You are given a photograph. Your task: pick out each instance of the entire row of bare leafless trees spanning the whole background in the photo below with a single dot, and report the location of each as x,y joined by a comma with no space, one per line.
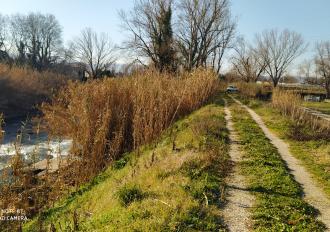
170,35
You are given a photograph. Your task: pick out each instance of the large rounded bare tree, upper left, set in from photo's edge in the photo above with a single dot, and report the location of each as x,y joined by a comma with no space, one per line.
37,38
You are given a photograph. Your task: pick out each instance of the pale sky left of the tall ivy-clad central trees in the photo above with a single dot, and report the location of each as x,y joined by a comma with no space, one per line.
74,15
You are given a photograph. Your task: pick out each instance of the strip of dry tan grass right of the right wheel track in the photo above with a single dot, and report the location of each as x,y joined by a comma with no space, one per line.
290,104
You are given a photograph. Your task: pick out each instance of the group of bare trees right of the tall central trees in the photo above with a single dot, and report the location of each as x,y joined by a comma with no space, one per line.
273,52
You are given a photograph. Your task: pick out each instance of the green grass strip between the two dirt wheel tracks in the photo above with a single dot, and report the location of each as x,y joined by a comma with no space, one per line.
279,205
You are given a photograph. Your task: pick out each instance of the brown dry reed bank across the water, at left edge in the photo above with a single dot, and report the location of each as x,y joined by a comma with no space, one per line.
22,88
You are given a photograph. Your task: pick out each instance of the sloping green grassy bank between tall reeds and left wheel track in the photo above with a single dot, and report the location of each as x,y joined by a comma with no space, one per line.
175,184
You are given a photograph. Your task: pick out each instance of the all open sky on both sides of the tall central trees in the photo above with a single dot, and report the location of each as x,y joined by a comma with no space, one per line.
311,18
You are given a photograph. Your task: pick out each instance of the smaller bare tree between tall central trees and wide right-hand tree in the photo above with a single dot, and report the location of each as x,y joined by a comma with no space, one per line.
247,64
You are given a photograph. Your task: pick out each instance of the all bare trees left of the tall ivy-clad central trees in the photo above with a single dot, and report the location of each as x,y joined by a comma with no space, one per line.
35,40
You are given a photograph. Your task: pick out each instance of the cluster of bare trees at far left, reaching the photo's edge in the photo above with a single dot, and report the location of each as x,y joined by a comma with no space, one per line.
33,39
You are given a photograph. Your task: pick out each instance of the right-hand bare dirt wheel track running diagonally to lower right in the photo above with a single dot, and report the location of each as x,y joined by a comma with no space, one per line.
312,193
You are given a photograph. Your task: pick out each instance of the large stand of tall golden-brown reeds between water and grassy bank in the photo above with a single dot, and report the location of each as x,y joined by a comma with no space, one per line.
106,118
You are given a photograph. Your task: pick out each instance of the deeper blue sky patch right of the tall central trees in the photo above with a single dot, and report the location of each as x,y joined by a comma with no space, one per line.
311,18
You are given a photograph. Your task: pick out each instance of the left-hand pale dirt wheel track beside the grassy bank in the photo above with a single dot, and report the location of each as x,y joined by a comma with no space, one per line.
239,200
